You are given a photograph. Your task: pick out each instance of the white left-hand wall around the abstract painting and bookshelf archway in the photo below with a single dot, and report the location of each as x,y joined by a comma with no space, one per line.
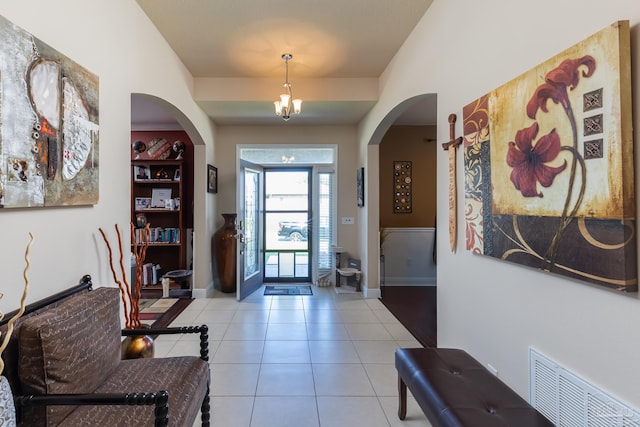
116,41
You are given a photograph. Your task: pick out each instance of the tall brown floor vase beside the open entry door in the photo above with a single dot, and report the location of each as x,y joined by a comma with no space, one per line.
224,250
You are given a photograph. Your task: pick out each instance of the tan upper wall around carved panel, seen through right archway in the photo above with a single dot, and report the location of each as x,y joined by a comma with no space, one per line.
416,144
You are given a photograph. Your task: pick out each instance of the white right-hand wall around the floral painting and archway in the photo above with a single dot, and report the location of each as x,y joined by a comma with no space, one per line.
461,50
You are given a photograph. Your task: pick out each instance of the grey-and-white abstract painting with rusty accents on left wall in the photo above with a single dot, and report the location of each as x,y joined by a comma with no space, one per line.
48,125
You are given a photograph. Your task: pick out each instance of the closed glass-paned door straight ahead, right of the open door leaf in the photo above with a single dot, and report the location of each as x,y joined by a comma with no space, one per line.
287,220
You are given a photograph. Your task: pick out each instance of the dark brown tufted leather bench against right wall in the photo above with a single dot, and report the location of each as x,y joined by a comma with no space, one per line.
454,389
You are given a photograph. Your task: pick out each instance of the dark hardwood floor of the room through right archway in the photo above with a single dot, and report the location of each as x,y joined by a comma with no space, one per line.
415,307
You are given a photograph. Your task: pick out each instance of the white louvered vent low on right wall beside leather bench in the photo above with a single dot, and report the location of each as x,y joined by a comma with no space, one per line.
567,400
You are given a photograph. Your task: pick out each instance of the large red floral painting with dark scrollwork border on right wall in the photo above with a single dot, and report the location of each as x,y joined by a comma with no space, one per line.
549,179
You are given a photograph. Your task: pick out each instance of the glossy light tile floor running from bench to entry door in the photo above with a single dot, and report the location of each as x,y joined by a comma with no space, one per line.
325,360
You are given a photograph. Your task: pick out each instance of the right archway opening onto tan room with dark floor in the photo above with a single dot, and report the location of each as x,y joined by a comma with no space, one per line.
405,153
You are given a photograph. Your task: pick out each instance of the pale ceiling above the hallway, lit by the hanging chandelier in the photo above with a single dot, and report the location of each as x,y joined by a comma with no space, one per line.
240,42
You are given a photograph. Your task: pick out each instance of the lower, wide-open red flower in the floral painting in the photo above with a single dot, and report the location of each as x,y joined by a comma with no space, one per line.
528,161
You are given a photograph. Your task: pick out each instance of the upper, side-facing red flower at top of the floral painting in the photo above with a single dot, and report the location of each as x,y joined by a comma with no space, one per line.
557,81
